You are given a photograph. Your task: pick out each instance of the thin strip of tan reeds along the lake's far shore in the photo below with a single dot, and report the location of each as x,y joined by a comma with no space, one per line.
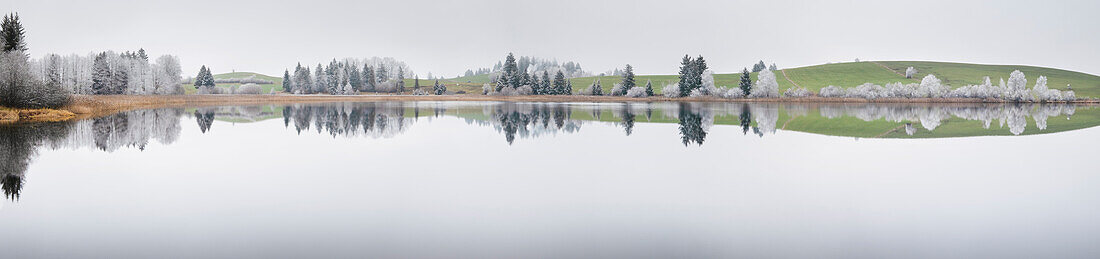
89,106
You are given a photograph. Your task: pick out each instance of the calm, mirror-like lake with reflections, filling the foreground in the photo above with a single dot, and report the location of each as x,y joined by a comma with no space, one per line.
446,180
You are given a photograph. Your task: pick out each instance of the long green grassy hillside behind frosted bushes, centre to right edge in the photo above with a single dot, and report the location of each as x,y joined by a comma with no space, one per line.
854,74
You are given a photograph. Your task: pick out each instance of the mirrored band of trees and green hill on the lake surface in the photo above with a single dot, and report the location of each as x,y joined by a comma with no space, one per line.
524,121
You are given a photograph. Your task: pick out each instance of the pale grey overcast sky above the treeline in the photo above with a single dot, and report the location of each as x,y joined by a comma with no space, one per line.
447,37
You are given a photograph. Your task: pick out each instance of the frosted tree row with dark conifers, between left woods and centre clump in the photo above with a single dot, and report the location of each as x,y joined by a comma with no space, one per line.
378,75
